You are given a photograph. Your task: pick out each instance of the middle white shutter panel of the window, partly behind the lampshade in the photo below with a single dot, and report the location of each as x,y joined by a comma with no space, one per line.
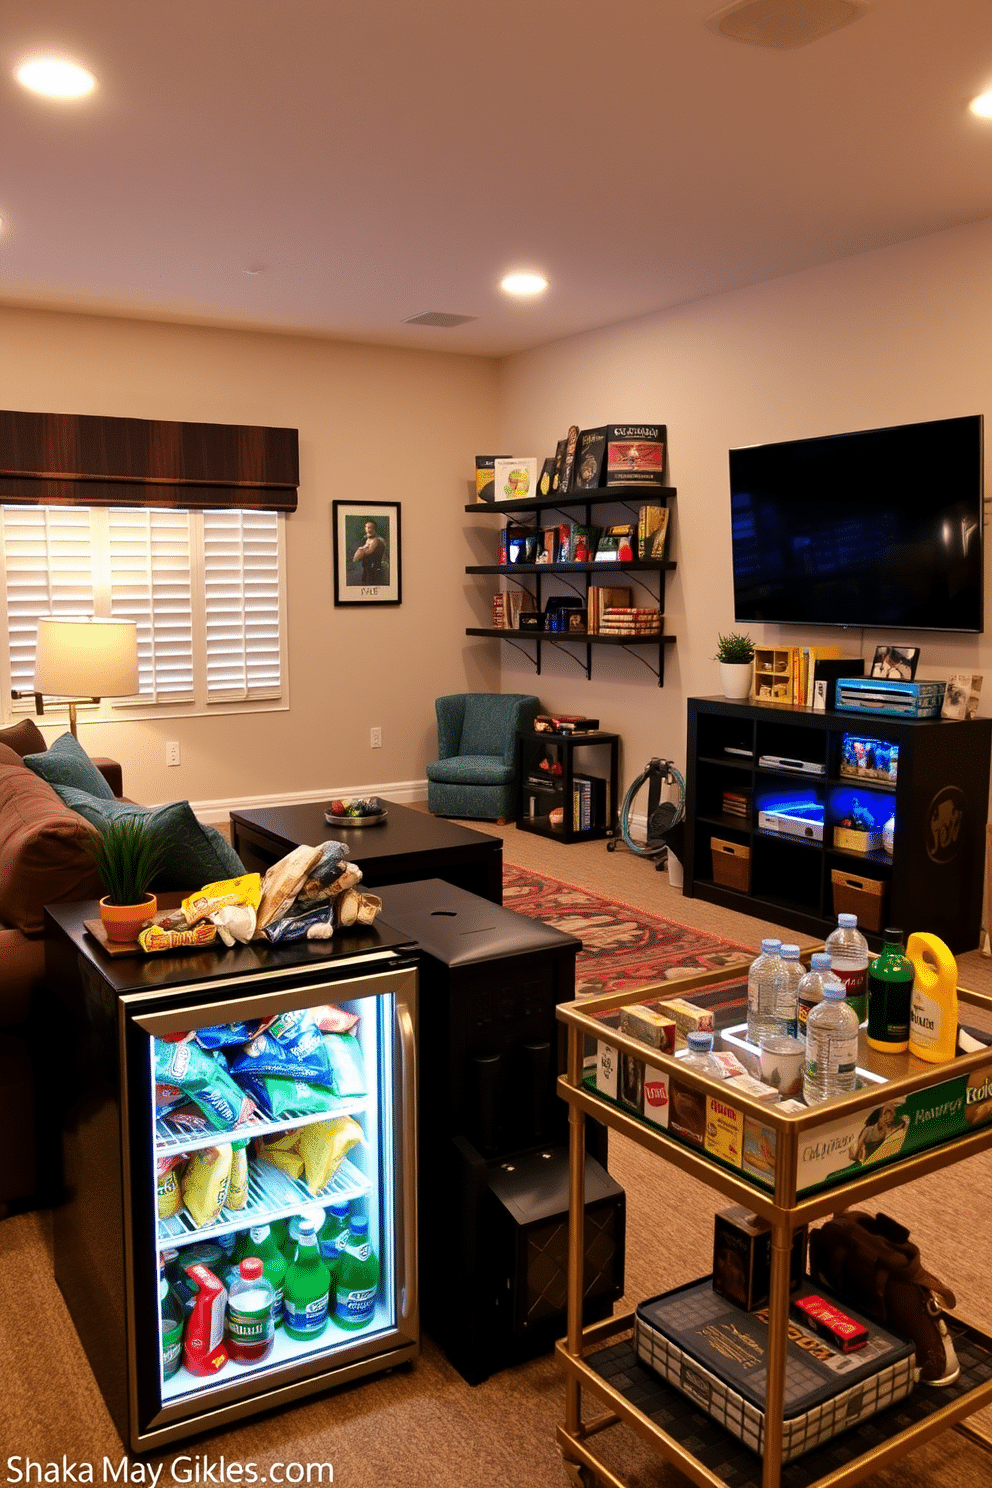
149,556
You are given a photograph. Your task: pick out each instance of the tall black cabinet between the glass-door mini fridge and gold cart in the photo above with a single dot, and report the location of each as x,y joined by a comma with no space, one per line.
493,1154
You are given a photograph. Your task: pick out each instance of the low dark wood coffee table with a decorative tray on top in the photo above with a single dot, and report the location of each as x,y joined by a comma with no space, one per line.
410,846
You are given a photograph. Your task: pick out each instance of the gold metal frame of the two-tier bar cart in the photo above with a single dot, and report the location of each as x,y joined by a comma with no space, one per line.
602,1359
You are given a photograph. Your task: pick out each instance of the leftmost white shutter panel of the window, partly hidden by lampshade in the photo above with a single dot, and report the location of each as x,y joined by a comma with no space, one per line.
48,569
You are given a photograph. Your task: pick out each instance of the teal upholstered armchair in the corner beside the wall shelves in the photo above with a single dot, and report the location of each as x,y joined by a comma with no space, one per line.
475,775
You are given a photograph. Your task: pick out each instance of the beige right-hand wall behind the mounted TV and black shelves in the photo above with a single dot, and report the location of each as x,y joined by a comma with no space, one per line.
884,339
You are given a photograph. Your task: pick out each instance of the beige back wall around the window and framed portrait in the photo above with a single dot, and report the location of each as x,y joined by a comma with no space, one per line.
381,425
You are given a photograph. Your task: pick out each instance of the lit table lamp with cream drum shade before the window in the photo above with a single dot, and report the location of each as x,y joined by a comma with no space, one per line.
88,657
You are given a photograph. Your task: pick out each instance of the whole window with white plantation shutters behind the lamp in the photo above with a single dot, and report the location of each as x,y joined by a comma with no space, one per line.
206,590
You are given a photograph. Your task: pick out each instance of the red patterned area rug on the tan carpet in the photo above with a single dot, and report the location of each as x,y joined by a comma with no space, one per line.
621,947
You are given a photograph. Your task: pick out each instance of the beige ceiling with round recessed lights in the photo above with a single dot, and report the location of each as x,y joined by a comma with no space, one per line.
376,160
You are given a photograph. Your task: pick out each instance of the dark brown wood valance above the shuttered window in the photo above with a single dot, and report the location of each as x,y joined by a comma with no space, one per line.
84,461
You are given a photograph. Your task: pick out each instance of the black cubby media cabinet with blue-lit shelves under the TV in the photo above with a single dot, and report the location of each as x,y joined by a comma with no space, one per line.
774,785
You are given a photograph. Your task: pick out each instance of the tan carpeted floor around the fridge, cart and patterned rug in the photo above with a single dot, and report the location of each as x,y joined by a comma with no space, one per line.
423,1428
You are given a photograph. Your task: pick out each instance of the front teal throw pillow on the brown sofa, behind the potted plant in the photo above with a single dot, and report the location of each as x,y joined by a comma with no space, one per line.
196,853
